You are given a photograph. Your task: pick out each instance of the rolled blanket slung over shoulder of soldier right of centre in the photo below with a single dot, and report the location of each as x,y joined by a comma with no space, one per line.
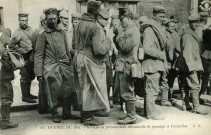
158,30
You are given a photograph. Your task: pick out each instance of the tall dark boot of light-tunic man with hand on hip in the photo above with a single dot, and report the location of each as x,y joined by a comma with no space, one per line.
25,93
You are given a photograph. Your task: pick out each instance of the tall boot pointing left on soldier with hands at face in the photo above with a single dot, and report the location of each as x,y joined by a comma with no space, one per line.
130,119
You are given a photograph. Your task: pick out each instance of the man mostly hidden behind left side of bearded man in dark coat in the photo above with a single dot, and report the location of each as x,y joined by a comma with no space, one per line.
43,103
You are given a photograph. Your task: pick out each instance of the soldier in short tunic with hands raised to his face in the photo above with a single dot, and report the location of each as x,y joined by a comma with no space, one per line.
127,42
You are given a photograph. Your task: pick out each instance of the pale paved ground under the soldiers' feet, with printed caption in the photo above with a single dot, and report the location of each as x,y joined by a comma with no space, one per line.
177,122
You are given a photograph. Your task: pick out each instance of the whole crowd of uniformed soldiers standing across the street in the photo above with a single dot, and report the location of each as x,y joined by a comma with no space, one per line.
79,67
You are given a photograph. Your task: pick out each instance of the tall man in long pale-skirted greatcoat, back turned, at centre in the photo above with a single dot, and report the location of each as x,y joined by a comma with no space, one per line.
91,48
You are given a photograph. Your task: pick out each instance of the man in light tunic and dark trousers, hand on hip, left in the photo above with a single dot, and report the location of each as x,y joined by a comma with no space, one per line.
22,43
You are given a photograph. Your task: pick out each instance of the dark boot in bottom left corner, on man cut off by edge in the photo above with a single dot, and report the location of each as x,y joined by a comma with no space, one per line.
5,115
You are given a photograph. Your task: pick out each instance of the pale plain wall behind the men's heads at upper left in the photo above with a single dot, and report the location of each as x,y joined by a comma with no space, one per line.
35,8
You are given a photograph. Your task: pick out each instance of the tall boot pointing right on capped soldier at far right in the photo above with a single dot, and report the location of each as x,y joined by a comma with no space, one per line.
196,105
